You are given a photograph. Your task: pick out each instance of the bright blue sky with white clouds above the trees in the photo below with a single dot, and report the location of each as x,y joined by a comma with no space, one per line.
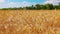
23,3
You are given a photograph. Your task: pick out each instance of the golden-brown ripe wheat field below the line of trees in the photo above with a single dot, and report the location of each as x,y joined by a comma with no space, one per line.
29,21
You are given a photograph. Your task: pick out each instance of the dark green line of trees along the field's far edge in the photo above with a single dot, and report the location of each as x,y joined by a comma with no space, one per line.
36,7
